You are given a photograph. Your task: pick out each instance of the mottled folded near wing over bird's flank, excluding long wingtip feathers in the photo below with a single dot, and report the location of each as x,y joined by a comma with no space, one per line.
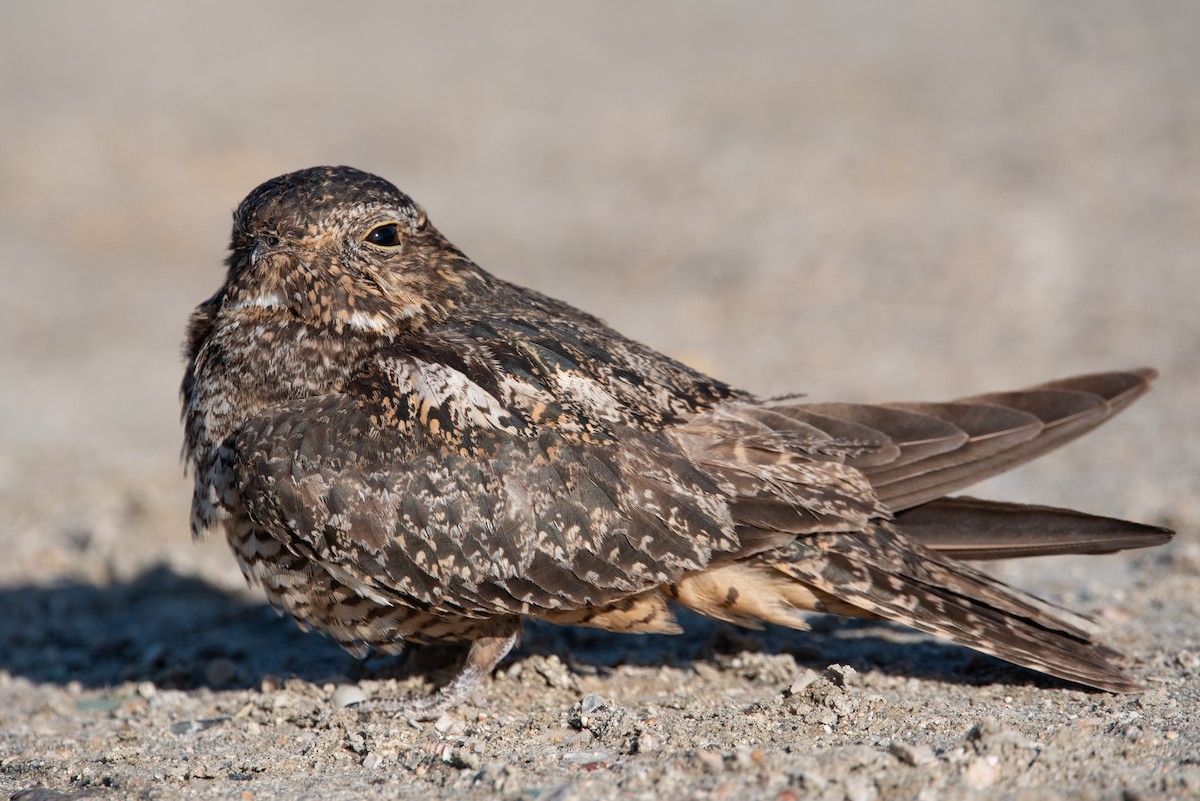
422,486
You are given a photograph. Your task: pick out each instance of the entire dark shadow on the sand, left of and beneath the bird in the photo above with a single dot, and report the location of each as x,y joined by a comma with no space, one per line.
182,633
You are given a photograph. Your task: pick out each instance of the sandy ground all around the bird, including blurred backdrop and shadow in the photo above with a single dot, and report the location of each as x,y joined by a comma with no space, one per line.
856,201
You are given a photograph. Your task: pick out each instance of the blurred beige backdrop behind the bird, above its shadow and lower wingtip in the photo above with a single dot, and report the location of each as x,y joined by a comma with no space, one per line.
869,201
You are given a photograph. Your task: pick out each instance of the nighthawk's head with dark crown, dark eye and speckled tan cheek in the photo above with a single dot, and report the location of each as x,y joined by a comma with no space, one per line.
337,248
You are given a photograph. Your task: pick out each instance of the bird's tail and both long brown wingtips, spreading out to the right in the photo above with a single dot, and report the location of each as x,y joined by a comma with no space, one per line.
908,570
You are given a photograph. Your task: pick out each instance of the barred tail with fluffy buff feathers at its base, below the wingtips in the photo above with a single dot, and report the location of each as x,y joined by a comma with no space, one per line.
881,574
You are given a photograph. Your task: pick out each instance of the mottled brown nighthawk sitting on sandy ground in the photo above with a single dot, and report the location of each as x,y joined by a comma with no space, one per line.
403,448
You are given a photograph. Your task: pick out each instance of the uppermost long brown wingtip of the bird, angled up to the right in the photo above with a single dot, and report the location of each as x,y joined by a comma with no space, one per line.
806,468
